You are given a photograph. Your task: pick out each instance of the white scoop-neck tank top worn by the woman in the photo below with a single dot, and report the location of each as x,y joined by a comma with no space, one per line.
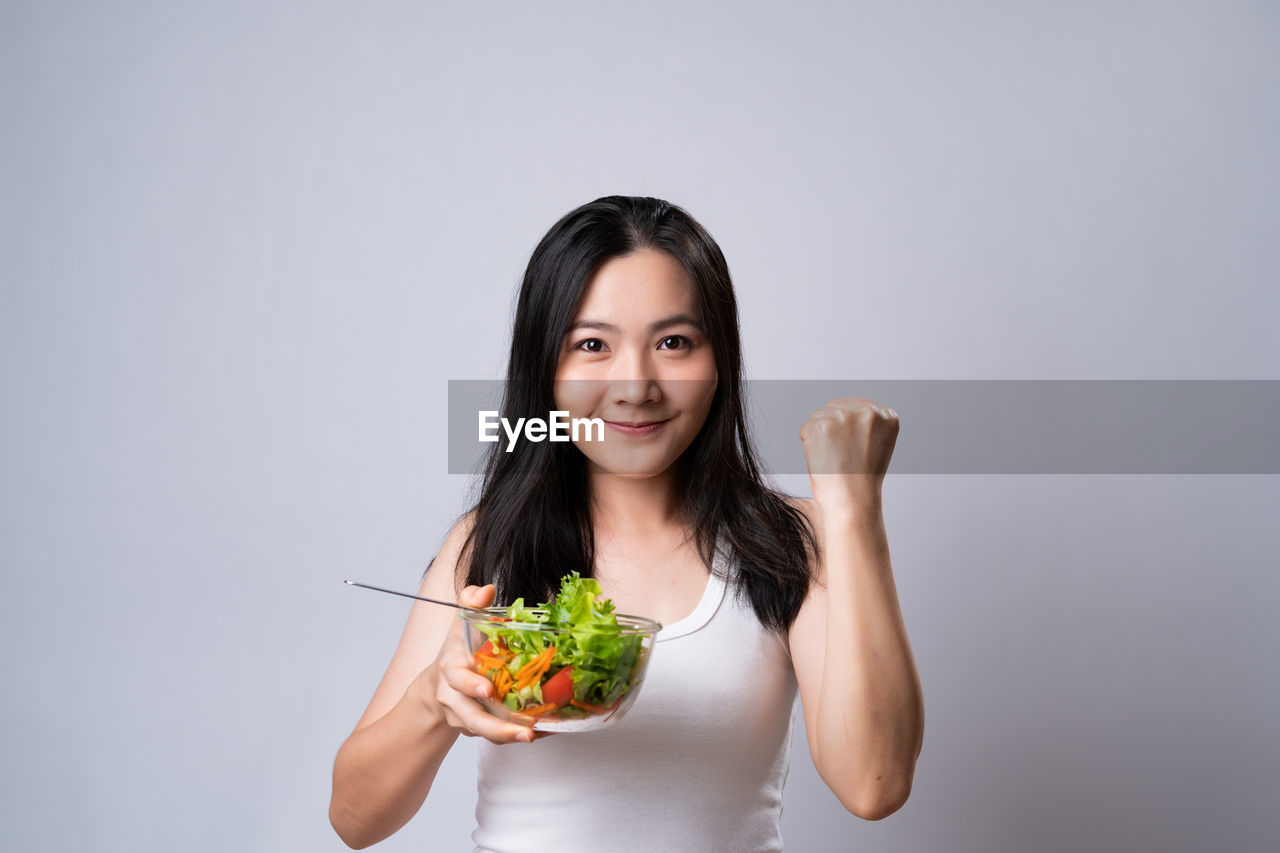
697,765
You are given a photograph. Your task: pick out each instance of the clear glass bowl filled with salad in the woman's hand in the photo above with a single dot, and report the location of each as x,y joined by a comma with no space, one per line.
565,679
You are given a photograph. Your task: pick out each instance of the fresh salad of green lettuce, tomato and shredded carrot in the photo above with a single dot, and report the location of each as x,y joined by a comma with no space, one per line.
568,659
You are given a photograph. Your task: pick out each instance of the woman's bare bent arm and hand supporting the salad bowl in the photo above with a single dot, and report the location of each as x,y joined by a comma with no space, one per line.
386,768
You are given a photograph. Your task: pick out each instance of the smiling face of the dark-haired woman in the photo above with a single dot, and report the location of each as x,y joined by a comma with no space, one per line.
637,354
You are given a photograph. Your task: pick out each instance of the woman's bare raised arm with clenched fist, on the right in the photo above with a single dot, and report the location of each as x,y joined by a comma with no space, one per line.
860,690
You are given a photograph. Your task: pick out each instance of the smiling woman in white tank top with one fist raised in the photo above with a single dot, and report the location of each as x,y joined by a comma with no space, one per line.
628,314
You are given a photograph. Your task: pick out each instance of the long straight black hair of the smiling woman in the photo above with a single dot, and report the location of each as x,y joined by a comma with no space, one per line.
533,513
